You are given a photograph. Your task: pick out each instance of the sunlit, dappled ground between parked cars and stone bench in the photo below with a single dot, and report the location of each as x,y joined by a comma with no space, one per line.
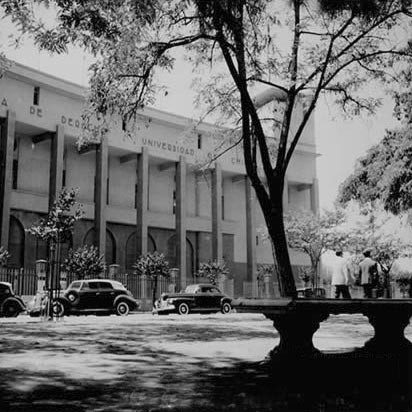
146,363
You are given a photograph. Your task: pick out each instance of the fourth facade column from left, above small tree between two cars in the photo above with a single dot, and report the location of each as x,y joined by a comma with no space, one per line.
142,201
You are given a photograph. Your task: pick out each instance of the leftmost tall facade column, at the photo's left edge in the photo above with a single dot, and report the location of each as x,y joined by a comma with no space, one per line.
7,132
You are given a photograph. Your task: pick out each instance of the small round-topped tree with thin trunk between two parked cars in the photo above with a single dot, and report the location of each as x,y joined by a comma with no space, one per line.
154,266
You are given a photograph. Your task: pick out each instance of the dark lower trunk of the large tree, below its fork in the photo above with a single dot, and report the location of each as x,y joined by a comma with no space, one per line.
283,267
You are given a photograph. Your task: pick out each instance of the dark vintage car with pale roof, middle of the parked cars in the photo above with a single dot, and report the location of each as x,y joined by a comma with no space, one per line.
94,296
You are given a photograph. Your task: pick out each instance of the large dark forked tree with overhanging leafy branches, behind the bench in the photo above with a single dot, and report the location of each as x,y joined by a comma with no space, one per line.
332,46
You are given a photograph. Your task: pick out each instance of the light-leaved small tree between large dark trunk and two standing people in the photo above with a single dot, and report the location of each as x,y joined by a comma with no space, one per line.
314,235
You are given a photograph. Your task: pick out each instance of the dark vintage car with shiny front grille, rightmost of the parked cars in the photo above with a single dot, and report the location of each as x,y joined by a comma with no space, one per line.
204,298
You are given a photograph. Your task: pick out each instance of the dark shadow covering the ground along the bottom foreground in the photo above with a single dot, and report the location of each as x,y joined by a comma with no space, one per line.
333,382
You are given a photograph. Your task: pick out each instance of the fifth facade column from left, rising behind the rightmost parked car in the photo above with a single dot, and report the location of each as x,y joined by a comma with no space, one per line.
181,219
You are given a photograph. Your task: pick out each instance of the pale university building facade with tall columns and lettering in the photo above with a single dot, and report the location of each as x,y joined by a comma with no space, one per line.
141,188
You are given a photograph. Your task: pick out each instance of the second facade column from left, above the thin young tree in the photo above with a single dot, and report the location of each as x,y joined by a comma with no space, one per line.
56,164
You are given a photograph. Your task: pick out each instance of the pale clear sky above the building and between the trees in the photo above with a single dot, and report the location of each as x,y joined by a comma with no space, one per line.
339,141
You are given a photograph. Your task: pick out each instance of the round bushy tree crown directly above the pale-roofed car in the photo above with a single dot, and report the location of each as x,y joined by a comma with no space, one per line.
85,262
